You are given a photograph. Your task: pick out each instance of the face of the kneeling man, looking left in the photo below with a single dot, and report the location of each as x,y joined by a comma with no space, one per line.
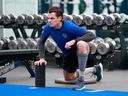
53,20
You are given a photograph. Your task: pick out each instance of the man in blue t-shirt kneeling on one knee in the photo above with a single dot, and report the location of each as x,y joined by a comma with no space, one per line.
73,42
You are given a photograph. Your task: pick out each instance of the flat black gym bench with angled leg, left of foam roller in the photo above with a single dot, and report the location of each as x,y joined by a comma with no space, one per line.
10,59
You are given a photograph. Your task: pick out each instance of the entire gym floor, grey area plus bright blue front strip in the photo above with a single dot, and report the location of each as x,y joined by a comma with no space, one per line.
19,83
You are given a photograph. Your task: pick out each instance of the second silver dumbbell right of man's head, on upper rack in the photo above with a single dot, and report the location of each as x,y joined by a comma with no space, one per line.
78,19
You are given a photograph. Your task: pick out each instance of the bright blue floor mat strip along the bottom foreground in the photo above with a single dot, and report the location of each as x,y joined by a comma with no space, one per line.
23,90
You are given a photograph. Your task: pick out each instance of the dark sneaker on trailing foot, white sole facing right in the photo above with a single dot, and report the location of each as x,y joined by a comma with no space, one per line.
99,71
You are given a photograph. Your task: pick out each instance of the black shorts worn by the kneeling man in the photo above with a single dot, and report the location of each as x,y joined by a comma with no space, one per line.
71,62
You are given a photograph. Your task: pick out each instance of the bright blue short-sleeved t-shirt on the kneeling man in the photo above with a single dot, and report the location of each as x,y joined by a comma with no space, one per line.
67,32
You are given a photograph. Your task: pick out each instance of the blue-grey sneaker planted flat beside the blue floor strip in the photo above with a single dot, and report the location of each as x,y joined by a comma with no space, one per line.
80,84
